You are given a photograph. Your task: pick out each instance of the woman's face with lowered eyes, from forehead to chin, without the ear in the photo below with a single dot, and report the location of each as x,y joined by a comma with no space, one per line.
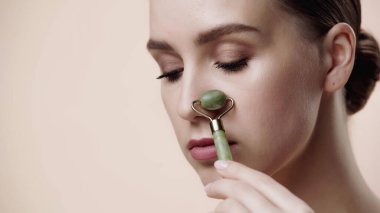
255,53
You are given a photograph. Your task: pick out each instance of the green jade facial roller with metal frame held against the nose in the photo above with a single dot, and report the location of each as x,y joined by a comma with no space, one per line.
213,100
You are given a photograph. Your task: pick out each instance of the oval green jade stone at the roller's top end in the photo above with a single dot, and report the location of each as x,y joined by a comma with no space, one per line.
213,100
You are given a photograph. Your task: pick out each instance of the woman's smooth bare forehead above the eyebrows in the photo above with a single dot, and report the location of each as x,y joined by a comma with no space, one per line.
185,18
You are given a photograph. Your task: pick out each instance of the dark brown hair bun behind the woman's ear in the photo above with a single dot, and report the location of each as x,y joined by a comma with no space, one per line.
365,74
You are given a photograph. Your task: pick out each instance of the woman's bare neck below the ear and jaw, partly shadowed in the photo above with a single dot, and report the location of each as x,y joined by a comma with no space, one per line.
325,175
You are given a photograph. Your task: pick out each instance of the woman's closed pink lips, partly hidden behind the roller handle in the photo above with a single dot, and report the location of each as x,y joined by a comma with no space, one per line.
204,149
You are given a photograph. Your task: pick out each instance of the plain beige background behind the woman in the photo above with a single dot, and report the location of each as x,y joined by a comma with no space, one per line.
82,126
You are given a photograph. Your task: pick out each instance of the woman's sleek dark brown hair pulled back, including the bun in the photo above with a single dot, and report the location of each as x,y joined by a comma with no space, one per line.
318,17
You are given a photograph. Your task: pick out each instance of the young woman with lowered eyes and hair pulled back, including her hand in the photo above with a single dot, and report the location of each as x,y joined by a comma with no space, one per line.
296,70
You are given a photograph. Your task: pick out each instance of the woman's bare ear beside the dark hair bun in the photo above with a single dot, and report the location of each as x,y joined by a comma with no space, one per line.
340,43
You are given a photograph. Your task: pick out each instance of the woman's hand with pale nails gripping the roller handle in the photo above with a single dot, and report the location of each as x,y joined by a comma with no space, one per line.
245,190
